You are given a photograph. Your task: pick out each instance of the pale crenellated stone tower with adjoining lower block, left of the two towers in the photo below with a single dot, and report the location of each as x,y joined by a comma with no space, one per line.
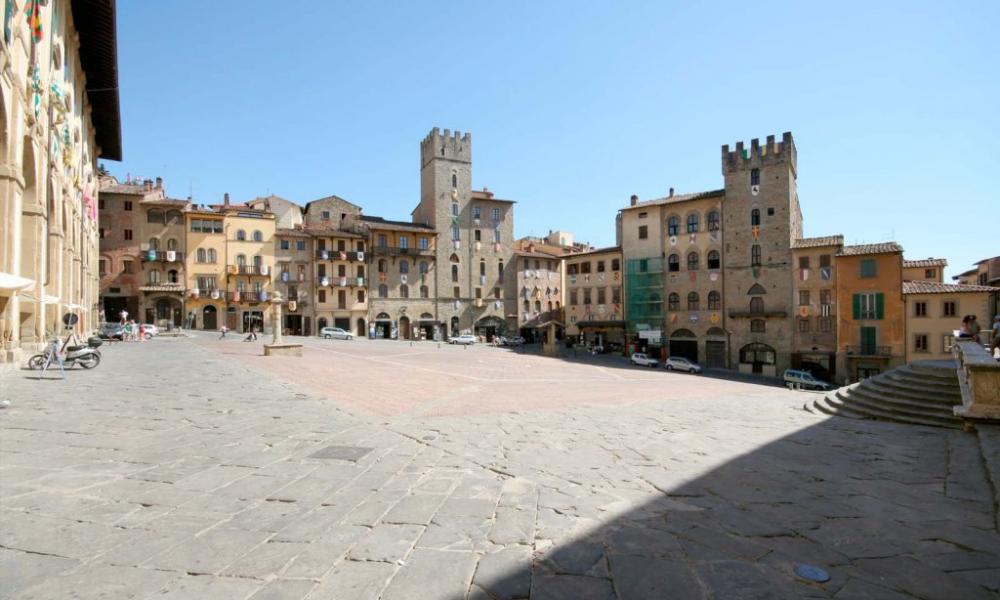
475,235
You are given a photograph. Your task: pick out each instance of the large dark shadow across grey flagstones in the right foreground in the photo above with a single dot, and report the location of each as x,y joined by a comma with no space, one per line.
876,506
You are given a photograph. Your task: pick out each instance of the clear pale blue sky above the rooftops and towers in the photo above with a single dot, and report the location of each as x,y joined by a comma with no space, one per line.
574,106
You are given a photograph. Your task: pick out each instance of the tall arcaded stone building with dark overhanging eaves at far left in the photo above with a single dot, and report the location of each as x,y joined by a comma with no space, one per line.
58,115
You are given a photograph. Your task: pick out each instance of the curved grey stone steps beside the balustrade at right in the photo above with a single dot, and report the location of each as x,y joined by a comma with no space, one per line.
920,393
